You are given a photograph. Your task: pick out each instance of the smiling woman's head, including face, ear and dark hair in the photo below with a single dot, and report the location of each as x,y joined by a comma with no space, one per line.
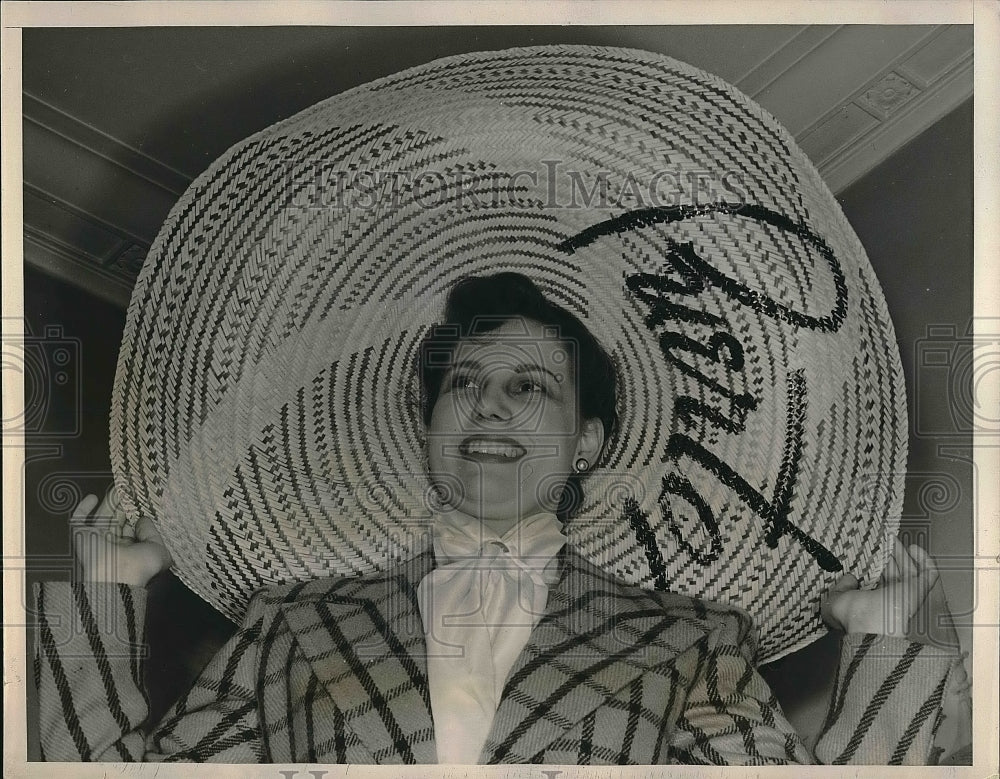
516,391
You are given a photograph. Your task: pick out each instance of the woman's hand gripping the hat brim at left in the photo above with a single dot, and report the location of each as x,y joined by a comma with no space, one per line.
110,549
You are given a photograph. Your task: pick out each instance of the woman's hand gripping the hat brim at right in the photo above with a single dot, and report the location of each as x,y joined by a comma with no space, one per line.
904,588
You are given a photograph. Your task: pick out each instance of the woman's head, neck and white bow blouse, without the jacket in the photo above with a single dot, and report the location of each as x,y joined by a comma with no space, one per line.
508,422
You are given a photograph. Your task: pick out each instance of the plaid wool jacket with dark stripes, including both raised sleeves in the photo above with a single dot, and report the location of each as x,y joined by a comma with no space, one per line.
333,671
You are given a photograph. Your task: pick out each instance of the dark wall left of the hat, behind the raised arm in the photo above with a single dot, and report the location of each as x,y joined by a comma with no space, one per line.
75,336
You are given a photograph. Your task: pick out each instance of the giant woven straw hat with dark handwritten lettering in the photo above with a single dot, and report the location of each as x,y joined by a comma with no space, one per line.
265,406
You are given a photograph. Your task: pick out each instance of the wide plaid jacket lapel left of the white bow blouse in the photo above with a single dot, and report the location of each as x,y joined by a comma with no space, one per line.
365,643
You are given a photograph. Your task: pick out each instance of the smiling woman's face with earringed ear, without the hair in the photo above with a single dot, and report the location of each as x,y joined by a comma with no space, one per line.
506,429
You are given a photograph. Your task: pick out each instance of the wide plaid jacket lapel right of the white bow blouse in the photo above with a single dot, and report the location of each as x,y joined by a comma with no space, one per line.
596,637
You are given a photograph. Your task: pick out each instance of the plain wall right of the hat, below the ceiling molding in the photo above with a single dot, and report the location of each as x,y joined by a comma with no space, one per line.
913,213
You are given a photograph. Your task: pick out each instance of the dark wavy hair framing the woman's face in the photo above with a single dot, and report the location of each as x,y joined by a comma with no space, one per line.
480,304
